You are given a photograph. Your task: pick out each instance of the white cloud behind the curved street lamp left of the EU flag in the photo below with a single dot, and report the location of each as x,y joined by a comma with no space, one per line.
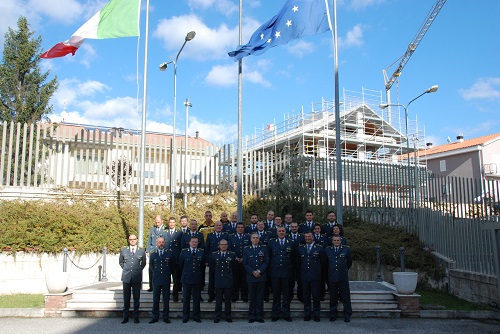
209,43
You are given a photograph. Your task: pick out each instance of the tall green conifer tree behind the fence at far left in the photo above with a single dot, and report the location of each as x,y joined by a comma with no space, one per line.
24,92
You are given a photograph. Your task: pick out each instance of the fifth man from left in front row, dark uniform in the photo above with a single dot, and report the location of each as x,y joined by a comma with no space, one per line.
256,261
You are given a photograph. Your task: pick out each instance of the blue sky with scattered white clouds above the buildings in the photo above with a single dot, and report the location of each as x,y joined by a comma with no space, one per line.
102,84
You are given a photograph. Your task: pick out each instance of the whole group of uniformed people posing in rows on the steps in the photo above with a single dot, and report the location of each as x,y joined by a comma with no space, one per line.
245,262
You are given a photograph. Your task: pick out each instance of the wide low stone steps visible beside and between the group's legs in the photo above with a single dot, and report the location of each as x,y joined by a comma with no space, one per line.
369,299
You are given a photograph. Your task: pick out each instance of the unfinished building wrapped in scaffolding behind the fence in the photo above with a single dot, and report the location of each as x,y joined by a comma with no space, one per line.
374,146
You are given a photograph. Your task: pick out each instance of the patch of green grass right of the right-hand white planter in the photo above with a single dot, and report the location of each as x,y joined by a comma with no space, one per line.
436,299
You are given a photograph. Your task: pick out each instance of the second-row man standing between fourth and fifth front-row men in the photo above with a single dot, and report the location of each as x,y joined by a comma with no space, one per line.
237,243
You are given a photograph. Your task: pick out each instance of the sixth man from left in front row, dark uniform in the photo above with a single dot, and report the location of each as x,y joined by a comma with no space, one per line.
280,269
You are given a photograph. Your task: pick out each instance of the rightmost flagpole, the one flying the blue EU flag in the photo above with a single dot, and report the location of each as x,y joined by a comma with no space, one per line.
338,145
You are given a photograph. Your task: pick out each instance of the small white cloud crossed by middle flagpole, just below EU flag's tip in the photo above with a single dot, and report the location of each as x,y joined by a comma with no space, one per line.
227,75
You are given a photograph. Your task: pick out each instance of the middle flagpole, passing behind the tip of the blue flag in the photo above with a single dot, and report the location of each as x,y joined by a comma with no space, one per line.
239,169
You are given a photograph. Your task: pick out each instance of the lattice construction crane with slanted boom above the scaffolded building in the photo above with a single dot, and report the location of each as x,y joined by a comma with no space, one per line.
411,48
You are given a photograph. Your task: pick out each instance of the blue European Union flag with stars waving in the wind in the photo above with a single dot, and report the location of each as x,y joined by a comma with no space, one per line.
296,19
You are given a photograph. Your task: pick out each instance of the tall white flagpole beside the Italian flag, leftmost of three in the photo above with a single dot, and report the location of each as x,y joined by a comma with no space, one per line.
143,136
